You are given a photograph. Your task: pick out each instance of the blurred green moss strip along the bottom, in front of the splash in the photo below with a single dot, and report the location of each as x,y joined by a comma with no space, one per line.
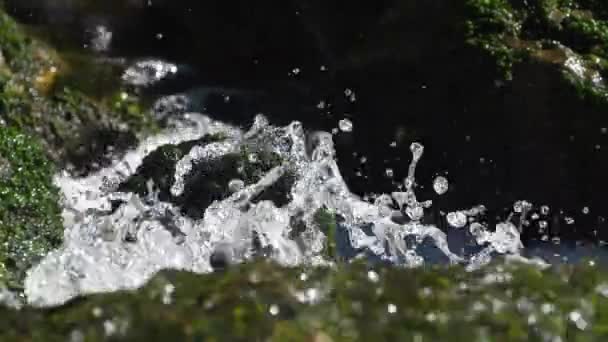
265,302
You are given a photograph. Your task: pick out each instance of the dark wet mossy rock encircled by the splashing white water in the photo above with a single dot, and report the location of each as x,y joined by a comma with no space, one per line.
209,179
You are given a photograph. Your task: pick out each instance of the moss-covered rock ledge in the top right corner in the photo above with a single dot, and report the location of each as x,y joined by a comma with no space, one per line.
512,32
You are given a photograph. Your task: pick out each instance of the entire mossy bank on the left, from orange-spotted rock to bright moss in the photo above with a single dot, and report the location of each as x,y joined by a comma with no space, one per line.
45,122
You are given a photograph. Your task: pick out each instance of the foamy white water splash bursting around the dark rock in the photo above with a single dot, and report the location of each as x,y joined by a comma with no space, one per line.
117,240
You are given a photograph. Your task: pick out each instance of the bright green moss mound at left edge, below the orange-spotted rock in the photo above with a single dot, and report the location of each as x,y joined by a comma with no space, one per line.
30,222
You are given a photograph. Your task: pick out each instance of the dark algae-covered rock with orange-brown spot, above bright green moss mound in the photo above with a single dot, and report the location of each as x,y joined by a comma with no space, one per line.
75,129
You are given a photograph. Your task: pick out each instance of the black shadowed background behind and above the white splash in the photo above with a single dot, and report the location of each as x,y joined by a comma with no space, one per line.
497,142
